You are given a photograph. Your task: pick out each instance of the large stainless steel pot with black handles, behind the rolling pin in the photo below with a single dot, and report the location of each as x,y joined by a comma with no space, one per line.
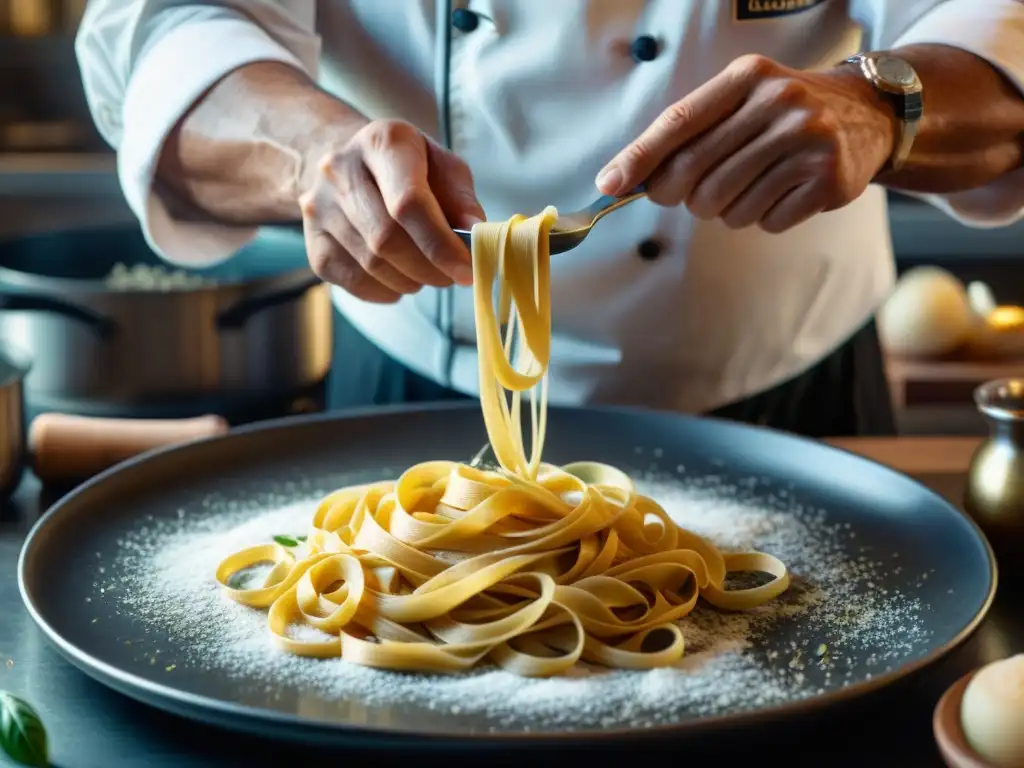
261,325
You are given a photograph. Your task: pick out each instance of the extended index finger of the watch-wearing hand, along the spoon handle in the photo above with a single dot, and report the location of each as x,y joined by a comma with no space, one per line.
684,121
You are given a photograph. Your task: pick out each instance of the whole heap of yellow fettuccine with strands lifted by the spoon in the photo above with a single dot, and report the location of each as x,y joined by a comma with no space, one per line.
530,567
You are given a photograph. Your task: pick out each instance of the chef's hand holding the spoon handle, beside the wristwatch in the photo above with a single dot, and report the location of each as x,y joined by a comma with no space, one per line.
761,144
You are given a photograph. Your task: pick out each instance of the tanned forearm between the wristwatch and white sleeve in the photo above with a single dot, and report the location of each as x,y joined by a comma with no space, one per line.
972,131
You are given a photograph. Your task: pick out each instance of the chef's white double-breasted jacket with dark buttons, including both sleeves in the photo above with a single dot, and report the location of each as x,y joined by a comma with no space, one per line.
541,96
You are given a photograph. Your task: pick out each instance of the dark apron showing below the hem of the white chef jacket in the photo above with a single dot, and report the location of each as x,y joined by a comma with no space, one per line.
845,395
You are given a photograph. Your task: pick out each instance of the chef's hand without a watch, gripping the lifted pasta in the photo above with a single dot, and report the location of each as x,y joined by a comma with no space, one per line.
378,217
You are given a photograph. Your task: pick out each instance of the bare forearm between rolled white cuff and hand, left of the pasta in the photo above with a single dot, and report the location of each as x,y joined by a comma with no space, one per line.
244,152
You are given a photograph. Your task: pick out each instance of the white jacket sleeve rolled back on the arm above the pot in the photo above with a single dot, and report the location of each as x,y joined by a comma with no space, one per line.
145,64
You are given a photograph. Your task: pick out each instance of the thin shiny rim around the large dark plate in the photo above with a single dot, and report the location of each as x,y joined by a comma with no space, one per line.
241,718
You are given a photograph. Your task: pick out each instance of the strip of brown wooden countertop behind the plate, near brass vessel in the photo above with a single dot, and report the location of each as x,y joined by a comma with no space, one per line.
914,455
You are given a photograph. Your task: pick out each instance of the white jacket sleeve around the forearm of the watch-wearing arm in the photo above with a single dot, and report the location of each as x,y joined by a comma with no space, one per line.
993,30
